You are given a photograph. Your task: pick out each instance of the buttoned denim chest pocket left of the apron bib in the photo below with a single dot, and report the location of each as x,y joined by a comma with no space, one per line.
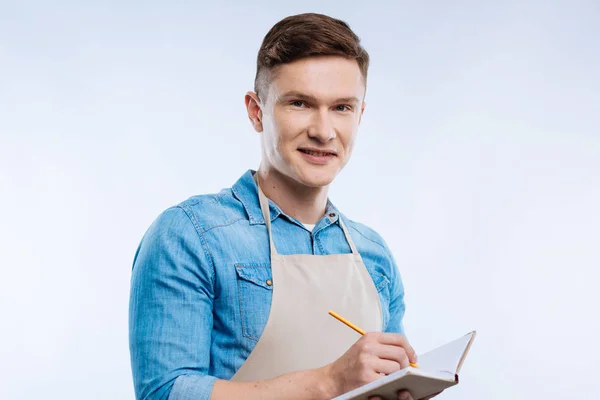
255,291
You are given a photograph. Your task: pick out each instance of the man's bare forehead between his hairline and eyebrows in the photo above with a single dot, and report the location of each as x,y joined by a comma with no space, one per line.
323,77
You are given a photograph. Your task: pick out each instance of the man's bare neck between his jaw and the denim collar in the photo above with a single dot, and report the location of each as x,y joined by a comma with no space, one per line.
306,204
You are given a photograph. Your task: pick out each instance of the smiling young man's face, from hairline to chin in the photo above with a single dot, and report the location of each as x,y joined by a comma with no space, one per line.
310,118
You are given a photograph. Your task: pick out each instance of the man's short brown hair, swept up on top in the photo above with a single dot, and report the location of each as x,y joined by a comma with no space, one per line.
306,35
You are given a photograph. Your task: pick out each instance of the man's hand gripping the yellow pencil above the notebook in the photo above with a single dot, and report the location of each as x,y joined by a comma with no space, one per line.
374,354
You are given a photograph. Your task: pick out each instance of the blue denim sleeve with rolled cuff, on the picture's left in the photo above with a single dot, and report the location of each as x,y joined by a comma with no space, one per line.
170,311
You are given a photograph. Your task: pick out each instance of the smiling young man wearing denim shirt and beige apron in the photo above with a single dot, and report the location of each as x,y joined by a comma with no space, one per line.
231,292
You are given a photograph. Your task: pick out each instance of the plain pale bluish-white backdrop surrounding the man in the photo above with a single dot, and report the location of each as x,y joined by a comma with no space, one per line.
478,160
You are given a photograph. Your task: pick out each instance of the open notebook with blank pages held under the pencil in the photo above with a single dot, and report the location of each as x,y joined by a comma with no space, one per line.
438,370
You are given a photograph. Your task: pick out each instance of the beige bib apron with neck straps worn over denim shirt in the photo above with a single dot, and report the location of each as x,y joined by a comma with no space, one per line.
299,333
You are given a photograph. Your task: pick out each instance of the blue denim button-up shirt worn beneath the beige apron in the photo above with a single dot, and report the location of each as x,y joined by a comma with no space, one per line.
199,298
